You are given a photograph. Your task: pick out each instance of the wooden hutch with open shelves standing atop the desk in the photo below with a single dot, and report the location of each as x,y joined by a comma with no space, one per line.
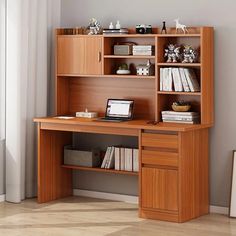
97,63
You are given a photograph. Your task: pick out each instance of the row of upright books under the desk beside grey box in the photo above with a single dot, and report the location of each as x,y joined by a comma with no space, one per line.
120,158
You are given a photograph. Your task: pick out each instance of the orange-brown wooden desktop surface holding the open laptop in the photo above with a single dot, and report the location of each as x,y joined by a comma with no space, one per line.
134,124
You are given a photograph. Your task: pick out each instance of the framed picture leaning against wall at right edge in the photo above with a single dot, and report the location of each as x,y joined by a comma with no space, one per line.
232,207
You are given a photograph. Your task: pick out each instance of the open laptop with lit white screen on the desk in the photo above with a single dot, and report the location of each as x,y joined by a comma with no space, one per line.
118,110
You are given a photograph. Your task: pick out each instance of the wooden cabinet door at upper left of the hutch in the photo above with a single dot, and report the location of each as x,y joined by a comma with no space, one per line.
79,55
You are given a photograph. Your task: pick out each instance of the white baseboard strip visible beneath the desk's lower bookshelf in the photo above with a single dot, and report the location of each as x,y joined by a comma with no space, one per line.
107,196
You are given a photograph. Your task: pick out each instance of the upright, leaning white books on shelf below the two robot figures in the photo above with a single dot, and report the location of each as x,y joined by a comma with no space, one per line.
179,80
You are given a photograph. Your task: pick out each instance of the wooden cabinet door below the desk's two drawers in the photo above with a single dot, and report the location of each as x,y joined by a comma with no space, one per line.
159,189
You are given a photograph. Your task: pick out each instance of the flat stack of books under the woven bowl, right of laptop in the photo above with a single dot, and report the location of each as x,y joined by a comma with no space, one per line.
180,117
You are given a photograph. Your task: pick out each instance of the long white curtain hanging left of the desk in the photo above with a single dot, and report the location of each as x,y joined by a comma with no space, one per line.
29,31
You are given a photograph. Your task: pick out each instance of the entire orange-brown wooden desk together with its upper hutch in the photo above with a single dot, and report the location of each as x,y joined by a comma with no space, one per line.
173,172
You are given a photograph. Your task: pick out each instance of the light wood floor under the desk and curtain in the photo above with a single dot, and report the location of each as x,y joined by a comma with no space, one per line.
86,216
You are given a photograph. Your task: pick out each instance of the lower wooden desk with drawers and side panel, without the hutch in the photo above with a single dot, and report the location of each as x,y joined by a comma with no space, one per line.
173,174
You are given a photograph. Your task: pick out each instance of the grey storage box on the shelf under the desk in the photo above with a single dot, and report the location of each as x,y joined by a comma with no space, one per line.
81,158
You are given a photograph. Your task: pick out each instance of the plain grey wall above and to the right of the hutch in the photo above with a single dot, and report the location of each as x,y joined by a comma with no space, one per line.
221,15
